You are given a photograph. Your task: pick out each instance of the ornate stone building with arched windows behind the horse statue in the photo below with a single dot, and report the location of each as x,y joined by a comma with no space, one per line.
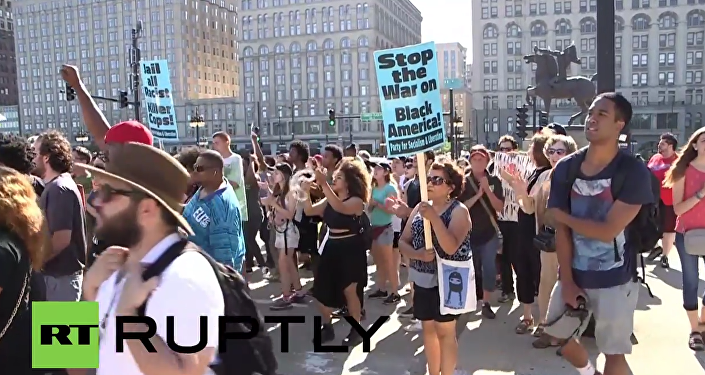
659,59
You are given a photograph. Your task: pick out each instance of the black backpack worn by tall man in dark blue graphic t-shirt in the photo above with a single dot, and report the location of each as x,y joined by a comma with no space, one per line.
644,232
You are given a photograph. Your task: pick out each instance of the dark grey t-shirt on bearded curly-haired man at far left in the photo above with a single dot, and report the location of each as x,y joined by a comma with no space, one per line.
62,204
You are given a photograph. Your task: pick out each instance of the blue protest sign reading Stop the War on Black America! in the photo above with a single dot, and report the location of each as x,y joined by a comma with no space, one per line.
410,99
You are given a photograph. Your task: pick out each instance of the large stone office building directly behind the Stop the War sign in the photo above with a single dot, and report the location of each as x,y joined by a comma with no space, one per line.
302,59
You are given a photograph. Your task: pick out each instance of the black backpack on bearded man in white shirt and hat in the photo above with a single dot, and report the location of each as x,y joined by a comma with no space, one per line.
253,356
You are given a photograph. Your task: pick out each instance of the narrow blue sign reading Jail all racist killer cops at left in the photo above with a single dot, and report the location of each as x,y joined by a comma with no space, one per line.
157,91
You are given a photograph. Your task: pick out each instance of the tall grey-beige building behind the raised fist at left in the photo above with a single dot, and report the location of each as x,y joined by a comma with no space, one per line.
197,37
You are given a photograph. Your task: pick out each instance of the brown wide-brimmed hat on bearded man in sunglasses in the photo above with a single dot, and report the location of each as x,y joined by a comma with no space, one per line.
151,171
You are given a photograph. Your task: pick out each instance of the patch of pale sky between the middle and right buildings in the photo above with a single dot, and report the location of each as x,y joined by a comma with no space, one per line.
447,21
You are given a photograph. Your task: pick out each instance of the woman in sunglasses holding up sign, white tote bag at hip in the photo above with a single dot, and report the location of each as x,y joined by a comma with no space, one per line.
450,226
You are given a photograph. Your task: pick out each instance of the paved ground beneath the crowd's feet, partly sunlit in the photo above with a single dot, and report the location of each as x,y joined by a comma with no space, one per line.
492,347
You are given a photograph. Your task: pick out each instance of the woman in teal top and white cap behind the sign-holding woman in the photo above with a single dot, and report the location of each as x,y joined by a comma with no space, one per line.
383,187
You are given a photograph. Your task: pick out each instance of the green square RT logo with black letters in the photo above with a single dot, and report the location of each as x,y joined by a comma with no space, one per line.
65,335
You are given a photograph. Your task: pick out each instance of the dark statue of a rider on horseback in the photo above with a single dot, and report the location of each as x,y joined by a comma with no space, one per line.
552,81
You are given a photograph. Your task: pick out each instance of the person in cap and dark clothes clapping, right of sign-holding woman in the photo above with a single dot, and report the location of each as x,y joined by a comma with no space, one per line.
484,197
